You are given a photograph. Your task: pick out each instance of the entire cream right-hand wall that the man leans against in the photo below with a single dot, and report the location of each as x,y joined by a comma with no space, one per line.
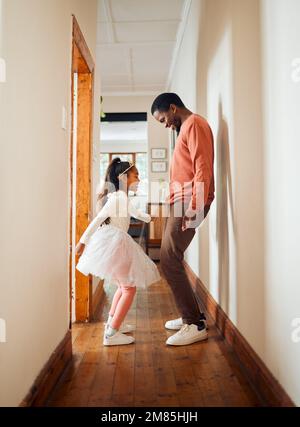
246,252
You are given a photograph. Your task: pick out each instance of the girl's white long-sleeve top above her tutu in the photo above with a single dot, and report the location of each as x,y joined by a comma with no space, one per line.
119,209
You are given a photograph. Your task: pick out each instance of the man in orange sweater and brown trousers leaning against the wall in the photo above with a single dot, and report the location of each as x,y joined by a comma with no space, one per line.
191,194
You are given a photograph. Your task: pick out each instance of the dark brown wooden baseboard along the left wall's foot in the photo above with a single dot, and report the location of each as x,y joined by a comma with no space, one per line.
50,374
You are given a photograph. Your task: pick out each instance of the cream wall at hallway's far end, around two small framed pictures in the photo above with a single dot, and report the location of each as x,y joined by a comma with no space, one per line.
158,137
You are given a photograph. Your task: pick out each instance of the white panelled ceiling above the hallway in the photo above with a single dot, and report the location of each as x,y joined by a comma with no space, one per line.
137,44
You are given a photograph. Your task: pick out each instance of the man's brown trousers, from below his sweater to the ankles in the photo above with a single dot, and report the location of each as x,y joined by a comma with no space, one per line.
175,242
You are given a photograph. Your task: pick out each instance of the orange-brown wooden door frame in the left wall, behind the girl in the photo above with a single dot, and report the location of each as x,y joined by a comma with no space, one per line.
81,163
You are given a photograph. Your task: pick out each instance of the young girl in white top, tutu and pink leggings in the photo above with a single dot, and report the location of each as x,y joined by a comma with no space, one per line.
107,250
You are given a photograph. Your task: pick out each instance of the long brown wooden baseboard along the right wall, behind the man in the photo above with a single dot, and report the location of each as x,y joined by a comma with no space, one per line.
263,381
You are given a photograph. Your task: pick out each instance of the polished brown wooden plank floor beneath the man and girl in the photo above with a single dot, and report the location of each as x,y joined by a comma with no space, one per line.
149,373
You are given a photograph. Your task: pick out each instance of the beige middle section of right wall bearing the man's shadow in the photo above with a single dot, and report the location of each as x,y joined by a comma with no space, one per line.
232,72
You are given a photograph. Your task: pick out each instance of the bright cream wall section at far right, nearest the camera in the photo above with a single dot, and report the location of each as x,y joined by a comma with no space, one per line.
281,106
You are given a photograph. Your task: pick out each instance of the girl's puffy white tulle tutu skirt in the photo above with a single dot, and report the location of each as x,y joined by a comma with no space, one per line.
113,255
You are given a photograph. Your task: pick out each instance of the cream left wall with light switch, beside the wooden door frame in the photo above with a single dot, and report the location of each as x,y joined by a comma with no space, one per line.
34,301
